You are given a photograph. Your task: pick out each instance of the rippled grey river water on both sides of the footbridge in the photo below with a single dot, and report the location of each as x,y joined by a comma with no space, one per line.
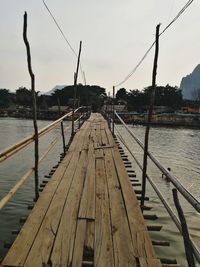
177,148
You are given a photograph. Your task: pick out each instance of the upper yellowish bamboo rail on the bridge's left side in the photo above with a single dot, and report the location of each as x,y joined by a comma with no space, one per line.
28,140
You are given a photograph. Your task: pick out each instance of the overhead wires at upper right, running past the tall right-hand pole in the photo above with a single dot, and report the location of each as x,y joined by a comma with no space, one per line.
147,52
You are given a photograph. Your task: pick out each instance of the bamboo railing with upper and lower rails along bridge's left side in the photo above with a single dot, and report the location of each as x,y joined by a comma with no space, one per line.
7,153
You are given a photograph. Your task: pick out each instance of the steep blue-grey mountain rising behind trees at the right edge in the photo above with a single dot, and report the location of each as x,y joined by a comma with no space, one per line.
190,85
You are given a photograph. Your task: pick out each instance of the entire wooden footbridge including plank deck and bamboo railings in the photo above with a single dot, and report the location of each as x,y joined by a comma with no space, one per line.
88,212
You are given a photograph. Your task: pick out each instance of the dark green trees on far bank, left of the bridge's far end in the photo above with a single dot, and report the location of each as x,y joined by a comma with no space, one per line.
92,95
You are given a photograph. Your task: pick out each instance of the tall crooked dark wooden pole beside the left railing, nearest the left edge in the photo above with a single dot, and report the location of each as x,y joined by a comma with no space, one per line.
34,104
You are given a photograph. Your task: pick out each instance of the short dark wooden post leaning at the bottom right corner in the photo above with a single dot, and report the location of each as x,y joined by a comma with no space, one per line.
186,237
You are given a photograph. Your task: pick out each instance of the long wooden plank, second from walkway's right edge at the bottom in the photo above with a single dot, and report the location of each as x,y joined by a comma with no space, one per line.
123,247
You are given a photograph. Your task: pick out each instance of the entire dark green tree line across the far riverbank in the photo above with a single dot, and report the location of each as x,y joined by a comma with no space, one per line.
94,96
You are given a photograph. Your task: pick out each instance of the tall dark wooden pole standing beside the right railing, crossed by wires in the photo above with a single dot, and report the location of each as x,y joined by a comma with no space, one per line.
152,100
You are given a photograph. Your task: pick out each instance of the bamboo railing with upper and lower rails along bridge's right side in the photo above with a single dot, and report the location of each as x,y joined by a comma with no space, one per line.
178,185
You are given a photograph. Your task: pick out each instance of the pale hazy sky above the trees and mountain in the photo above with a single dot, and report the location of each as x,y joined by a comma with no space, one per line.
115,36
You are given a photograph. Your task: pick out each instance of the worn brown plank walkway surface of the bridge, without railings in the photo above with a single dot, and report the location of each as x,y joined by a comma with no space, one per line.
88,214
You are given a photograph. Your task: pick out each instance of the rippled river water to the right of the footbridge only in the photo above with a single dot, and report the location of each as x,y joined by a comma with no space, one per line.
179,149
